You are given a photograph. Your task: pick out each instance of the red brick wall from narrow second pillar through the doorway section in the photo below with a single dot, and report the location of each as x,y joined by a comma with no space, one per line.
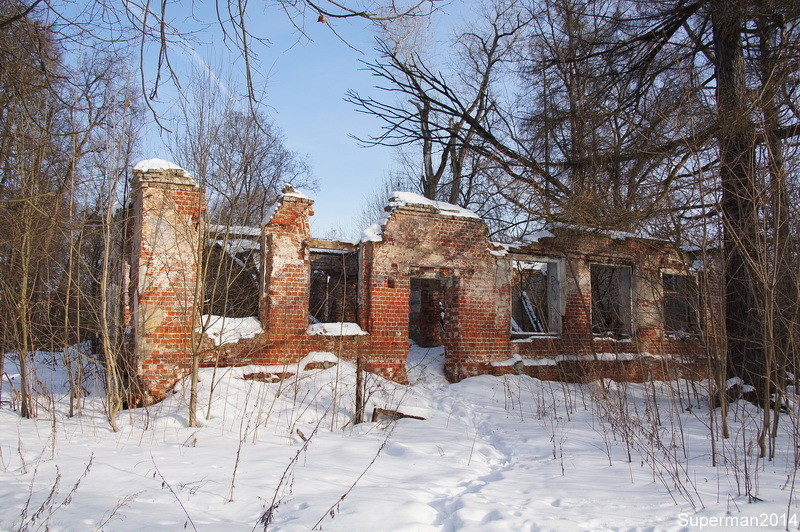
417,242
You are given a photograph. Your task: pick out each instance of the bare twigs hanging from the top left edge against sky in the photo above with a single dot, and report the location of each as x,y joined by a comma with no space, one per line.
153,33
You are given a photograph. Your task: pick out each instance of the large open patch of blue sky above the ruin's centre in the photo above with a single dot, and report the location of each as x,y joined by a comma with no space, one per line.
306,93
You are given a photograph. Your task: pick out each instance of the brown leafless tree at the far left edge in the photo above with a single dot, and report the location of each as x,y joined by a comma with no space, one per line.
32,190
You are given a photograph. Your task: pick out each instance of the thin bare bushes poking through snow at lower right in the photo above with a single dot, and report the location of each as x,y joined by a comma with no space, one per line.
668,429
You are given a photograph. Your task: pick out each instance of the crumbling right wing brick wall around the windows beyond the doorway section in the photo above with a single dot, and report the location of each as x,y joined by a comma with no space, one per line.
647,259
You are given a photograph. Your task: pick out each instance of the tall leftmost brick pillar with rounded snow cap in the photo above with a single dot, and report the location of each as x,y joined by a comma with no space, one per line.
167,211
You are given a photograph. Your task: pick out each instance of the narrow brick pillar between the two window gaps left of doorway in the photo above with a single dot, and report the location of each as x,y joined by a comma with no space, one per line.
284,298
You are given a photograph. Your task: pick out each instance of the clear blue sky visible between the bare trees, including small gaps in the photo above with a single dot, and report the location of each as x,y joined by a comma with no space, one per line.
306,81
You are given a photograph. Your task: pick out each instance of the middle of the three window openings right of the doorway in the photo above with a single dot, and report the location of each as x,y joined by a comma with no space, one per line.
611,300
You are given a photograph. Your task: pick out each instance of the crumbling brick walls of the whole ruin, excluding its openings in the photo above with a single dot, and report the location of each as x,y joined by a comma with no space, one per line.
423,246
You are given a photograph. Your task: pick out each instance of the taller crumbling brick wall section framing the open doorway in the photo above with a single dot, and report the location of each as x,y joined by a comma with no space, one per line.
419,242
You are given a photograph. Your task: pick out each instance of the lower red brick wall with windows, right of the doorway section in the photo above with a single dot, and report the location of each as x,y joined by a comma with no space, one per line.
646,258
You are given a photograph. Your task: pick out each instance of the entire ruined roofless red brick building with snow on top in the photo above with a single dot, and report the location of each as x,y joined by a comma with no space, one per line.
573,303
